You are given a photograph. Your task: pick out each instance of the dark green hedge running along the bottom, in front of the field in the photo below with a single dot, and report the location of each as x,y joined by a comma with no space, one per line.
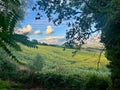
67,82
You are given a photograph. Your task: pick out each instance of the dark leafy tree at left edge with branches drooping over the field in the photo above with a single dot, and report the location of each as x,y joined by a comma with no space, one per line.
12,11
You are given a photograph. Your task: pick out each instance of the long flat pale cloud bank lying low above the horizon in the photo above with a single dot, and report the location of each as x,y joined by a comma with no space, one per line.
53,40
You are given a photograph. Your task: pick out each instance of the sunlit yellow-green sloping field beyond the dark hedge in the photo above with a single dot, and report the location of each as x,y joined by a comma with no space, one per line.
54,59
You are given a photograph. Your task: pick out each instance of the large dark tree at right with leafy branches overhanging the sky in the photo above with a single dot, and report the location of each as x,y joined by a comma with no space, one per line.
86,17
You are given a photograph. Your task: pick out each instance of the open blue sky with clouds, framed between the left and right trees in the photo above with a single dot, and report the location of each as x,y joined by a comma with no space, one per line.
42,30
